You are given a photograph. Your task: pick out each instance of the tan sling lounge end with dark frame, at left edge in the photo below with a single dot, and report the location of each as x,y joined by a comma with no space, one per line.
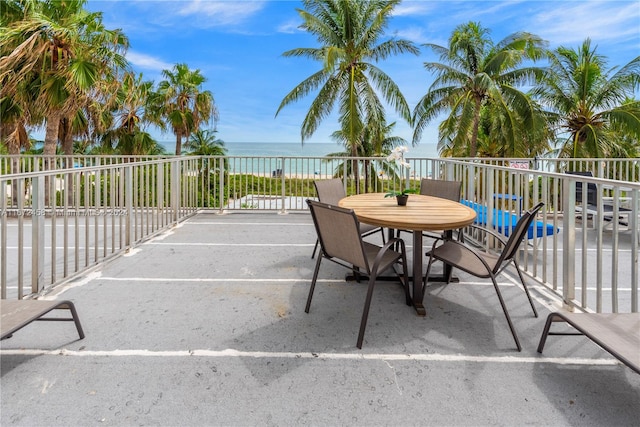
16,314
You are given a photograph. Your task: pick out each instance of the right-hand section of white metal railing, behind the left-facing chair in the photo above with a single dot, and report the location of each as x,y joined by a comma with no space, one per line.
590,256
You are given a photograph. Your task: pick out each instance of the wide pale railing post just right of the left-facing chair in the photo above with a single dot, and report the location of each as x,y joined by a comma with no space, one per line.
569,241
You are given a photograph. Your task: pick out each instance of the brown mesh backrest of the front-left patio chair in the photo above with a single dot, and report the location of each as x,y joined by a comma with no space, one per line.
338,233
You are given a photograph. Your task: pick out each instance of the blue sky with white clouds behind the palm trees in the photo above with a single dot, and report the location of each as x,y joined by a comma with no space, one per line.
238,46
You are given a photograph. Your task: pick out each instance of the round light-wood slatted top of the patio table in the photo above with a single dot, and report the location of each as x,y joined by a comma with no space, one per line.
421,212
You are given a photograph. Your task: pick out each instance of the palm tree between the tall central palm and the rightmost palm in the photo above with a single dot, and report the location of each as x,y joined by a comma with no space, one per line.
475,73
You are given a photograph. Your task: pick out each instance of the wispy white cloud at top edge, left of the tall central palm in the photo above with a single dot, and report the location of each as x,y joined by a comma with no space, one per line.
220,13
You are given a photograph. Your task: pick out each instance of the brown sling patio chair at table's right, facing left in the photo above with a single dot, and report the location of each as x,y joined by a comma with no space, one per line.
484,264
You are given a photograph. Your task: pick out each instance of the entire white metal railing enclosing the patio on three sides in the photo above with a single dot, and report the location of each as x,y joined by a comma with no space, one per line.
587,256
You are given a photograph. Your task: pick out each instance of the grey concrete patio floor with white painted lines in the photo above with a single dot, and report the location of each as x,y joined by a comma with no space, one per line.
205,325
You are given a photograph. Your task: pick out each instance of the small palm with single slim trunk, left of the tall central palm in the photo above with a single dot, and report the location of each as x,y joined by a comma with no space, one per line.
183,104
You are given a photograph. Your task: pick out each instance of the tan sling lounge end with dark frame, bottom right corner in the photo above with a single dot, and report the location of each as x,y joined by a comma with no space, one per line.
617,333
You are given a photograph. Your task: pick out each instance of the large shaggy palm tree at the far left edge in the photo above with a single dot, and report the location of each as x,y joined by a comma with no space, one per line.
66,52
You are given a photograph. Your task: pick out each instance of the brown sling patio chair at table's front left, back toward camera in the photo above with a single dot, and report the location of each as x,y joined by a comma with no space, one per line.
341,242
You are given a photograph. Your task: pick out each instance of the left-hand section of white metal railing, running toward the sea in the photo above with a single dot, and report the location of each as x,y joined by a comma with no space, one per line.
57,223
